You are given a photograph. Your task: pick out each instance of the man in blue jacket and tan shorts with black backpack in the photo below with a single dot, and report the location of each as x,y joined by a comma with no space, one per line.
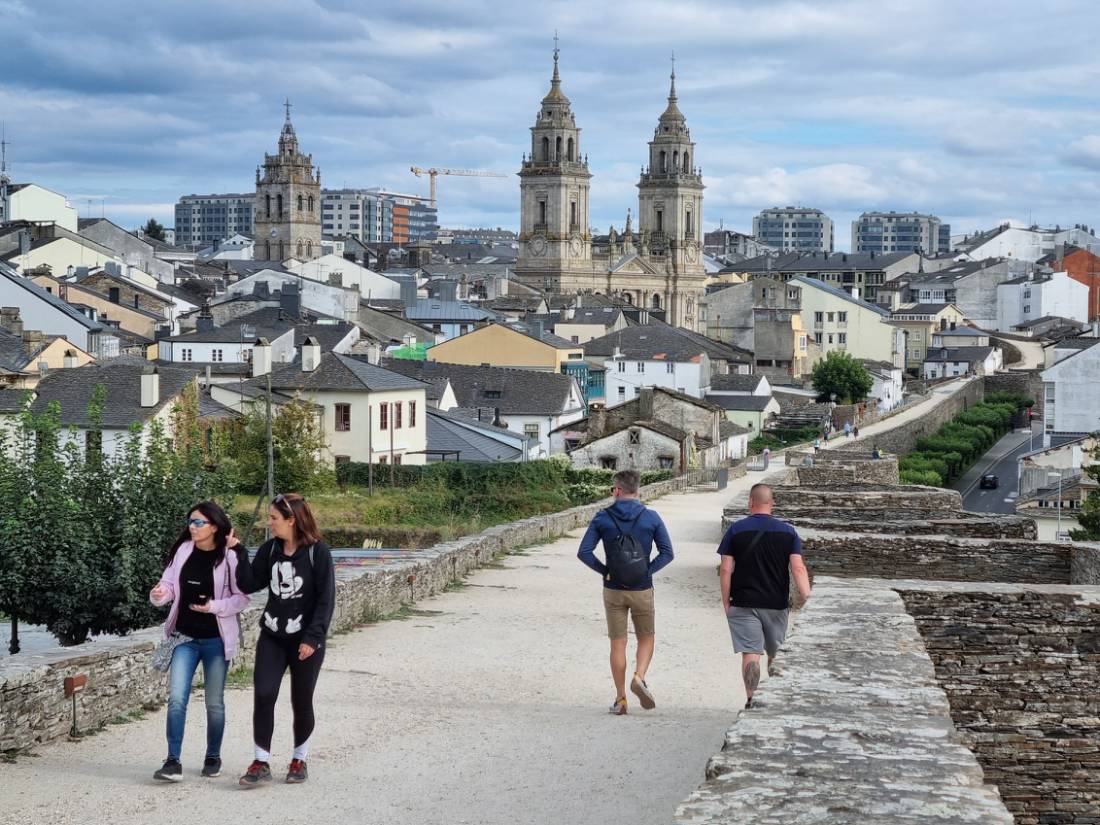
629,531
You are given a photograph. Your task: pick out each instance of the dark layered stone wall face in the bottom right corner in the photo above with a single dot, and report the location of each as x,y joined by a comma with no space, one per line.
1021,668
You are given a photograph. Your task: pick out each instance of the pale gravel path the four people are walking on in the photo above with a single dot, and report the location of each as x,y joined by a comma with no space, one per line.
487,706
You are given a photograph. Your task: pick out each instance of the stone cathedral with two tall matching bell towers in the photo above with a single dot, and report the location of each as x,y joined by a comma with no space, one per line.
662,267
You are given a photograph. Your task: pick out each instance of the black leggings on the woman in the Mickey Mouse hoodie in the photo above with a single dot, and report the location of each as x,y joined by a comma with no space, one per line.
273,657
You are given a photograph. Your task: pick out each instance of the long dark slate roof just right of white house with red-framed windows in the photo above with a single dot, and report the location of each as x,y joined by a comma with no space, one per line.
514,392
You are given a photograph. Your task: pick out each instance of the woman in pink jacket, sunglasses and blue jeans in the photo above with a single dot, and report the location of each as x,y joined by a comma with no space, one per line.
200,582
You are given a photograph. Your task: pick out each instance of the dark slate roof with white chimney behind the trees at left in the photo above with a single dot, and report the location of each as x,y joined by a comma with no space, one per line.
73,389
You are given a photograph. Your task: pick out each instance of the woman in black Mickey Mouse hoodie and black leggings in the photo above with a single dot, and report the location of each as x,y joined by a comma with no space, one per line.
296,567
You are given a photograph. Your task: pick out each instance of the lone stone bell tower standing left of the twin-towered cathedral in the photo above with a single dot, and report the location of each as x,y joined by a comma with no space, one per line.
288,211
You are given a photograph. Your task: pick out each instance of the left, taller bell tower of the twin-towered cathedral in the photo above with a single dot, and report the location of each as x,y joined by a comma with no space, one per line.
555,244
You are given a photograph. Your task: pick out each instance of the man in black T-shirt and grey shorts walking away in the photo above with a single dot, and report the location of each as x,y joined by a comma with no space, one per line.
758,556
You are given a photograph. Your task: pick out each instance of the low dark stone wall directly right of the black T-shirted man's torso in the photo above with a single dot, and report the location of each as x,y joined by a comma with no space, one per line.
937,558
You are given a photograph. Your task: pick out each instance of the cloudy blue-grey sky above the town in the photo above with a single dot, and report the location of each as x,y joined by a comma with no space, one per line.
976,112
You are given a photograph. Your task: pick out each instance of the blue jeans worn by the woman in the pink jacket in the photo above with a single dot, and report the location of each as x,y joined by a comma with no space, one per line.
185,662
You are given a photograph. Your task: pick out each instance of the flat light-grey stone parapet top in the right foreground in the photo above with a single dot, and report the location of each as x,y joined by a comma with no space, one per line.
852,728
